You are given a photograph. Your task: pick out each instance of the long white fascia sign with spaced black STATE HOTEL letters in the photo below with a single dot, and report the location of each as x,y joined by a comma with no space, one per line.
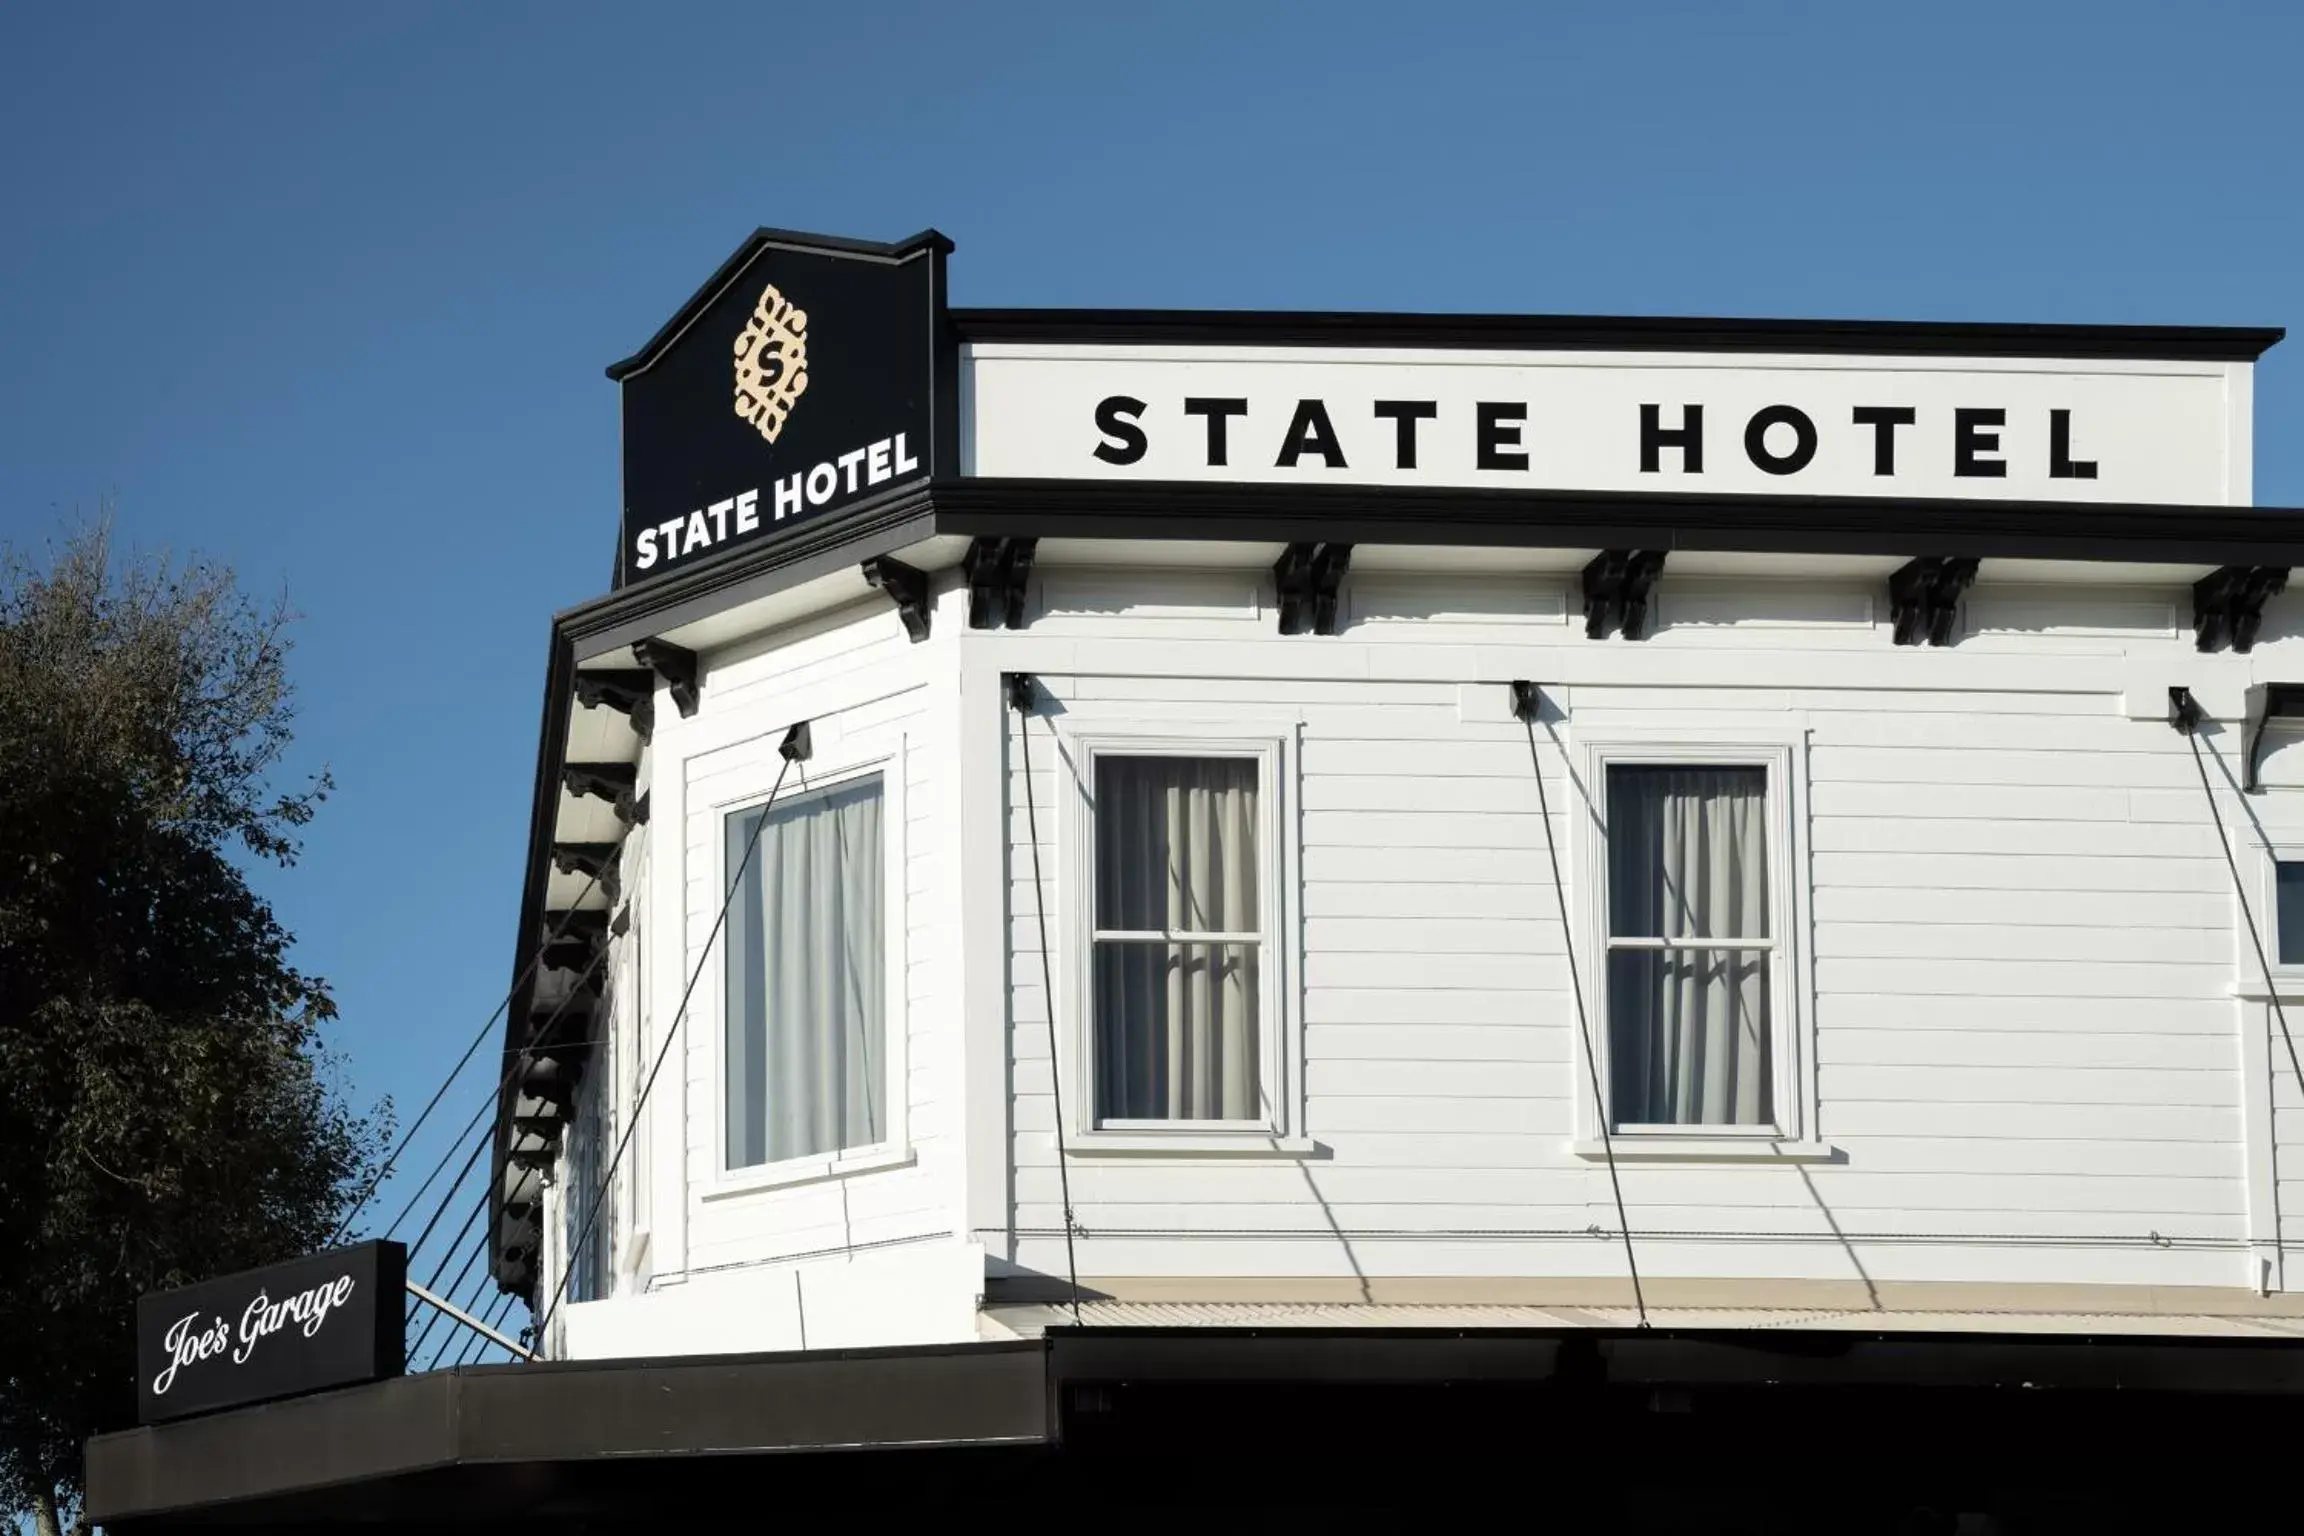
1658,423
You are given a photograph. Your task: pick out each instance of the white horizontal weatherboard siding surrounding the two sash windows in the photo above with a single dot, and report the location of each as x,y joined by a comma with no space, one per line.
2022,1021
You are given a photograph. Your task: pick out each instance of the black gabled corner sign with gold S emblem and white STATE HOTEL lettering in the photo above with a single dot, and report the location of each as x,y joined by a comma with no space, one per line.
805,379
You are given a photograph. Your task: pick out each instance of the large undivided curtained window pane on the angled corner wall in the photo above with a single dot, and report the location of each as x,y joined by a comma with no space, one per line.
805,978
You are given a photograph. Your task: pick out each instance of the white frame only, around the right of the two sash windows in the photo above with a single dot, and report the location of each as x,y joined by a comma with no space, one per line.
1784,754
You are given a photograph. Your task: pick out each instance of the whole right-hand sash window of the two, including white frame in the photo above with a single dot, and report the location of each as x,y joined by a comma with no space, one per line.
1692,897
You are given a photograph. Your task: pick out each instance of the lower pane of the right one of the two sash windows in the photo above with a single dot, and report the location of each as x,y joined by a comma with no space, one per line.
1688,1037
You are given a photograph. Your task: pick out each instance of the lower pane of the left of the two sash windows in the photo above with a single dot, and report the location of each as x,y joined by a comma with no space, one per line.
1176,1031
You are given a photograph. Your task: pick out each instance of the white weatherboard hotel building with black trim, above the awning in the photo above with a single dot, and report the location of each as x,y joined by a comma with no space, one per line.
1388,821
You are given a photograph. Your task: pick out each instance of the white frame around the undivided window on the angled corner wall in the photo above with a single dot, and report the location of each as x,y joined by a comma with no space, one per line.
849,763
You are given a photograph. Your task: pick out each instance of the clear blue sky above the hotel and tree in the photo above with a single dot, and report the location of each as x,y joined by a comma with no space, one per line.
328,291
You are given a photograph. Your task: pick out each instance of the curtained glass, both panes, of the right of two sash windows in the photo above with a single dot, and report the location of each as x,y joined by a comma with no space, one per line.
1688,1026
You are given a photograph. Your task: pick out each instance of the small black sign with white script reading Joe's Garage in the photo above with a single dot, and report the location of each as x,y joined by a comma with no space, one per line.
278,1332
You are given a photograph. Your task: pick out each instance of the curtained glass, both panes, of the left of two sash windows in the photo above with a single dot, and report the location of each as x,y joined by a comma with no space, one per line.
1176,1021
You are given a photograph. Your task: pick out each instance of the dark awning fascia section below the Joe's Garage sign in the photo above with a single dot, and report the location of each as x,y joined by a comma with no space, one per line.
480,1443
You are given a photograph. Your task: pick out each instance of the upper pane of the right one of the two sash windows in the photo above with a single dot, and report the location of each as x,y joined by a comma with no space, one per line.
1688,853
